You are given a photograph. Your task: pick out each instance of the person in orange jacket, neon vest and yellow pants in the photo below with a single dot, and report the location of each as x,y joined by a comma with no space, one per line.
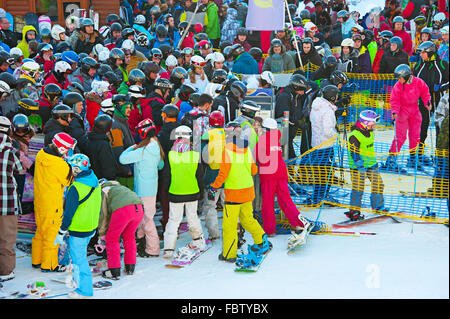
236,170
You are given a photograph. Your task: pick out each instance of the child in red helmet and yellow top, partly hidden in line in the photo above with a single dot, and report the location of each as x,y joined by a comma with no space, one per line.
213,144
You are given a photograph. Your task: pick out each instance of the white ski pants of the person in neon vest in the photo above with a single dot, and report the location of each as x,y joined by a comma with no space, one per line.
175,217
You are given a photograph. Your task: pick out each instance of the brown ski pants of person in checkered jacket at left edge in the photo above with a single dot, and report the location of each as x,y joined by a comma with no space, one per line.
8,236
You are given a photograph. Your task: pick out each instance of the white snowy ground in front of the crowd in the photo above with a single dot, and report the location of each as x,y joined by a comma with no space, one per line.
402,261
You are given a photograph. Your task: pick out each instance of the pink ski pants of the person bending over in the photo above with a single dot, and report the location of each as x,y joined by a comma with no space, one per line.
124,222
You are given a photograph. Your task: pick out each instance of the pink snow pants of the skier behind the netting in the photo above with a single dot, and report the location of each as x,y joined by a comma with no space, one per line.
406,124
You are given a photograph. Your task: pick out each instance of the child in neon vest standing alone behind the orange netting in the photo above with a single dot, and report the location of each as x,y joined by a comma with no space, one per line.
363,164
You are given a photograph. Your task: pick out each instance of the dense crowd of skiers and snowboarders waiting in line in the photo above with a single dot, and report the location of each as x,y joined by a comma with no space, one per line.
151,110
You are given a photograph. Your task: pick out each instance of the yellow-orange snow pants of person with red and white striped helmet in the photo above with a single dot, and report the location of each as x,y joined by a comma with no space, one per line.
44,252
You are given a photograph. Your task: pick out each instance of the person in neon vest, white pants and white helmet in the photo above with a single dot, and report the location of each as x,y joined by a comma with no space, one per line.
184,191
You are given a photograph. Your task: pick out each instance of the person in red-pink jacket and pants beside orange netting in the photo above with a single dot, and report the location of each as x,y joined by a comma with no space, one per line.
274,181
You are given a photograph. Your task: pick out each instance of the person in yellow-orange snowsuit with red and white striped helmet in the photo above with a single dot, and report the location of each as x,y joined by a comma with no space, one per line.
51,175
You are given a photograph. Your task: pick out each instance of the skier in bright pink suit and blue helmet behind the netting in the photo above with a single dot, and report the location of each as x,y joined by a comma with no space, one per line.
405,113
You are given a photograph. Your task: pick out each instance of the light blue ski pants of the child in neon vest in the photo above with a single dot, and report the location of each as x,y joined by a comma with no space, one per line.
81,271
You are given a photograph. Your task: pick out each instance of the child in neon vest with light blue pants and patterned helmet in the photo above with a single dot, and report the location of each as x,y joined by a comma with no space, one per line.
80,219
